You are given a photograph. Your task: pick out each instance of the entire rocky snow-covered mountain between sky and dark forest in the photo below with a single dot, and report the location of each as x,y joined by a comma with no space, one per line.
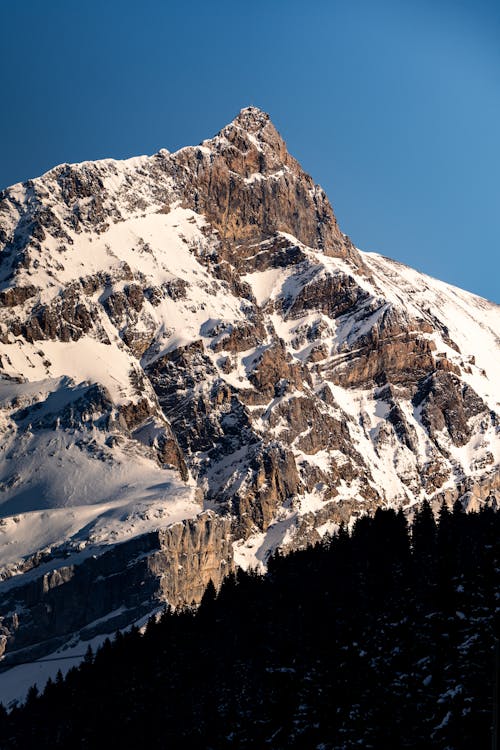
198,367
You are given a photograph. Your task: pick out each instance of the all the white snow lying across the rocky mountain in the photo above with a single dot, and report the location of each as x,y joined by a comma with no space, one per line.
66,487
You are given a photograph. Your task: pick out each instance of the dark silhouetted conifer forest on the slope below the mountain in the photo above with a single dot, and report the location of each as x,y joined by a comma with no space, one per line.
382,638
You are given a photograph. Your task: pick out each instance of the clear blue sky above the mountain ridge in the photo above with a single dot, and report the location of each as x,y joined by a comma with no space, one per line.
393,106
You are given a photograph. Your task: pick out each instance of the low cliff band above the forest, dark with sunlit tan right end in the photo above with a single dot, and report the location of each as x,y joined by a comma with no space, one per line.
106,592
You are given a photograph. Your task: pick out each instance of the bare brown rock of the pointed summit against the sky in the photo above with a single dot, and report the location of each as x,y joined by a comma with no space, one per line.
227,187
